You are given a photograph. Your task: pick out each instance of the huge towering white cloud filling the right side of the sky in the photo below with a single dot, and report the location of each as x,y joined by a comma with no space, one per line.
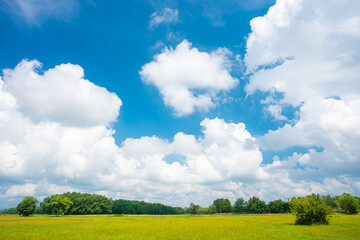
308,52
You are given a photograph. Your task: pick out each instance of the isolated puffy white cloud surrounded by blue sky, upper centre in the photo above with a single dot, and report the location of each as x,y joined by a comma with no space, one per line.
188,79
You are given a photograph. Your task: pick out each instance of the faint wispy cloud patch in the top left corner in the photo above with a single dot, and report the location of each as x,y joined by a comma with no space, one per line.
35,12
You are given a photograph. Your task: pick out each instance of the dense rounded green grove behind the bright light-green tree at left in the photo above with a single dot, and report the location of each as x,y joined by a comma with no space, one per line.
83,203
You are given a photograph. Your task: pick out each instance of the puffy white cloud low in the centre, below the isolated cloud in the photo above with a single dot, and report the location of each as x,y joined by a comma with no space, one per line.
227,151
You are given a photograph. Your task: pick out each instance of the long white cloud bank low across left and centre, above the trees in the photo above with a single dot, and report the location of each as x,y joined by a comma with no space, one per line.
88,158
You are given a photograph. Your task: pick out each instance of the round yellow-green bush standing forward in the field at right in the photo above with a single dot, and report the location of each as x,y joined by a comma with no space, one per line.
310,210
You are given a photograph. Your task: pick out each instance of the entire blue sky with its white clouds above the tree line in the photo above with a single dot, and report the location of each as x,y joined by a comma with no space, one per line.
202,99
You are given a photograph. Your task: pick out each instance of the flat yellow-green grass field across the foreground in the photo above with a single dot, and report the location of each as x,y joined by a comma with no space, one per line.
175,227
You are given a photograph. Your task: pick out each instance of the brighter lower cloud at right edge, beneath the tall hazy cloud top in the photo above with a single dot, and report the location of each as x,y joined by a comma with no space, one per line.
329,125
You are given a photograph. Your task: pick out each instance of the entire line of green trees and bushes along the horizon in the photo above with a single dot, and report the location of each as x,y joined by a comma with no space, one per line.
308,210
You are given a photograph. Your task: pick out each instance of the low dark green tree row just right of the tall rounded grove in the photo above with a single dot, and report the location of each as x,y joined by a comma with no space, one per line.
140,207
